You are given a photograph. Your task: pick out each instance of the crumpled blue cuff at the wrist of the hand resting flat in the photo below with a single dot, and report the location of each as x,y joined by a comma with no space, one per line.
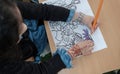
66,58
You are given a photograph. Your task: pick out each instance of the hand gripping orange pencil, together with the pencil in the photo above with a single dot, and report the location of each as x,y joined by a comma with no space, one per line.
90,21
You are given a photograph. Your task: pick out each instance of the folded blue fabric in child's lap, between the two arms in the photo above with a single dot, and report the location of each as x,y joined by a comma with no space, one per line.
38,36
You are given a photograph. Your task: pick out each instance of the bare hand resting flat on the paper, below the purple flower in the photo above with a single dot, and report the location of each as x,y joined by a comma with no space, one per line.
81,48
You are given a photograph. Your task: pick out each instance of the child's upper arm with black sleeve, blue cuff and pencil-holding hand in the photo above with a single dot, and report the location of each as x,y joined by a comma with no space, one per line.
53,13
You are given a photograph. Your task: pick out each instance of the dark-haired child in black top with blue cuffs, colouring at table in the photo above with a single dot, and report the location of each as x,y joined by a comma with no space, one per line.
12,29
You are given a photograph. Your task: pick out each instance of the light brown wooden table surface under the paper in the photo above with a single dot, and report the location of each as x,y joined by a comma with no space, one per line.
107,59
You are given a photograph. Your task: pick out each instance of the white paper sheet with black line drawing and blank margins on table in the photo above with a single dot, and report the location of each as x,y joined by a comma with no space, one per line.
66,34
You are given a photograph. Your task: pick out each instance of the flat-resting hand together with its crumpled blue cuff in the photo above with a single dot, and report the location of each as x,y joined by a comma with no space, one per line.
81,48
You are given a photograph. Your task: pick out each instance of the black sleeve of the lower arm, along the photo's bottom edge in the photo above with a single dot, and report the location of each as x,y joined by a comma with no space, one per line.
52,66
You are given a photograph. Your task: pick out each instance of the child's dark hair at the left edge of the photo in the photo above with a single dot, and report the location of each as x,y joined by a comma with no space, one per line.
9,27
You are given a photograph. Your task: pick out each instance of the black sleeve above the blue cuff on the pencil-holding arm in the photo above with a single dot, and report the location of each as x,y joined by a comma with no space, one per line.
43,11
